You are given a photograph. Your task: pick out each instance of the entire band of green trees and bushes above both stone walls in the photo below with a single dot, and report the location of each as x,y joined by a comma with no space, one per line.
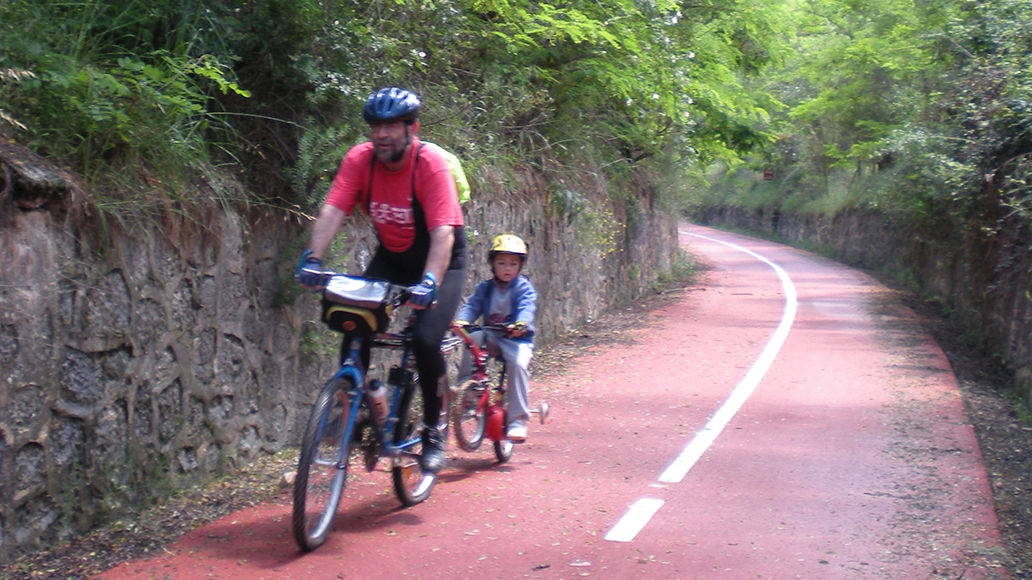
920,110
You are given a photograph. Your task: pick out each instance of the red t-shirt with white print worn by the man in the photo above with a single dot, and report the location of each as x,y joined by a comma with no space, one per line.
391,199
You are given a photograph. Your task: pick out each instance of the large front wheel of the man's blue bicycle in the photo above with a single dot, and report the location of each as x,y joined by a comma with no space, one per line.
322,469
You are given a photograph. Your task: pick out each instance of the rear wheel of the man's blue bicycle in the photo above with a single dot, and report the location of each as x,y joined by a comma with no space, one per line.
411,485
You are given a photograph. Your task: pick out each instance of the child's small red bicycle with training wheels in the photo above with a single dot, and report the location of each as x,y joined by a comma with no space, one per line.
479,409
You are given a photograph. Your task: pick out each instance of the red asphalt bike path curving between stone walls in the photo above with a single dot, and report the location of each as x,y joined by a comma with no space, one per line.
852,458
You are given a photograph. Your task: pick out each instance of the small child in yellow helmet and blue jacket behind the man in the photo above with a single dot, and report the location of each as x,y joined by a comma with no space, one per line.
507,299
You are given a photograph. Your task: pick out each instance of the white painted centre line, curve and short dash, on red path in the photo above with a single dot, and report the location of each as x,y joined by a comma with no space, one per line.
643,510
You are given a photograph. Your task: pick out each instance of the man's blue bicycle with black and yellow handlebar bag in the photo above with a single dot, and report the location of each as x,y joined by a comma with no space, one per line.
357,420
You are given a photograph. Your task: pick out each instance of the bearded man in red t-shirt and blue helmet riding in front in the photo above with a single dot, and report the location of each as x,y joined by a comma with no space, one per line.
408,190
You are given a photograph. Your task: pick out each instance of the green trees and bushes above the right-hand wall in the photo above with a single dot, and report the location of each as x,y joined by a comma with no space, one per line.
923,110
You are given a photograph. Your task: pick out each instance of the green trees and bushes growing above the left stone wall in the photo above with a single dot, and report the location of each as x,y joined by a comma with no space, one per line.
157,105
